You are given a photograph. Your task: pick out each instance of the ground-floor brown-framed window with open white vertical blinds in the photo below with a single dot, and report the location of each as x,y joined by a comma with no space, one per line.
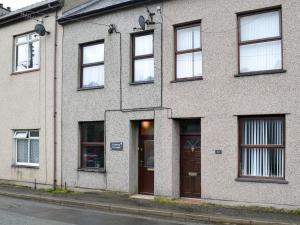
262,146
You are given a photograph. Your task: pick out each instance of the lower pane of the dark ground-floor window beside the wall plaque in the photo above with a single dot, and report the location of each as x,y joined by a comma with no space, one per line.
93,157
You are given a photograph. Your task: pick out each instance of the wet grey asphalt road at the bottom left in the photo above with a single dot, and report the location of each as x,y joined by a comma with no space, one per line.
20,212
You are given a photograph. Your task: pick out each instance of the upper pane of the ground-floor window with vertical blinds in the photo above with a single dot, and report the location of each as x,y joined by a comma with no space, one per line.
262,132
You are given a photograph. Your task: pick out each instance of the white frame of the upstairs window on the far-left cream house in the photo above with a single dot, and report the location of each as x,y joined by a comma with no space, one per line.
27,42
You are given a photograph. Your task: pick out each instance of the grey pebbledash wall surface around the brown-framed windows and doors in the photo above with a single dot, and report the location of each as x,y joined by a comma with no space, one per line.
217,99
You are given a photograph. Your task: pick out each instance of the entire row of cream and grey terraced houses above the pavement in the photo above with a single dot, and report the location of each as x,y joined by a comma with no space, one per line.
193,98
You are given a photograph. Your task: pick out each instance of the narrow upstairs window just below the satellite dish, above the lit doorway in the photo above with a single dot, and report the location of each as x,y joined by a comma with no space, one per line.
143,58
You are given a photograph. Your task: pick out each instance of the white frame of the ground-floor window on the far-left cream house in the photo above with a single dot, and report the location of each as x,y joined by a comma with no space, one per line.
17,137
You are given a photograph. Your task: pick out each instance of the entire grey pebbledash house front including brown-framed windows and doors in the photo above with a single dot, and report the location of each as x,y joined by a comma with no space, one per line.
224,102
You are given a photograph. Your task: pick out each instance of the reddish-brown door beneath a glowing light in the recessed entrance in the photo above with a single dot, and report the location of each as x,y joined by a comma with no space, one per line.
146,158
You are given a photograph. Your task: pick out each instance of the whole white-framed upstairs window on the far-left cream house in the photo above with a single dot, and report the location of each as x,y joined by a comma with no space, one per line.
27,52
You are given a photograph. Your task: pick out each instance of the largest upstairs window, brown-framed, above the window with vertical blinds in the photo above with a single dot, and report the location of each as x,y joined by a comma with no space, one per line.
260,42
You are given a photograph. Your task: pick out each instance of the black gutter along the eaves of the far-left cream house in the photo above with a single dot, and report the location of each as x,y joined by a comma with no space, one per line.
33,12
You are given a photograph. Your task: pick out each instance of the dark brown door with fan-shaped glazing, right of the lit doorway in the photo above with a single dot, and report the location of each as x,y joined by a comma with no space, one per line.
190,166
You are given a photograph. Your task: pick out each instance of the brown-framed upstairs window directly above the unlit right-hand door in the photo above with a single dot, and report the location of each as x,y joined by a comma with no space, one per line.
188,52
